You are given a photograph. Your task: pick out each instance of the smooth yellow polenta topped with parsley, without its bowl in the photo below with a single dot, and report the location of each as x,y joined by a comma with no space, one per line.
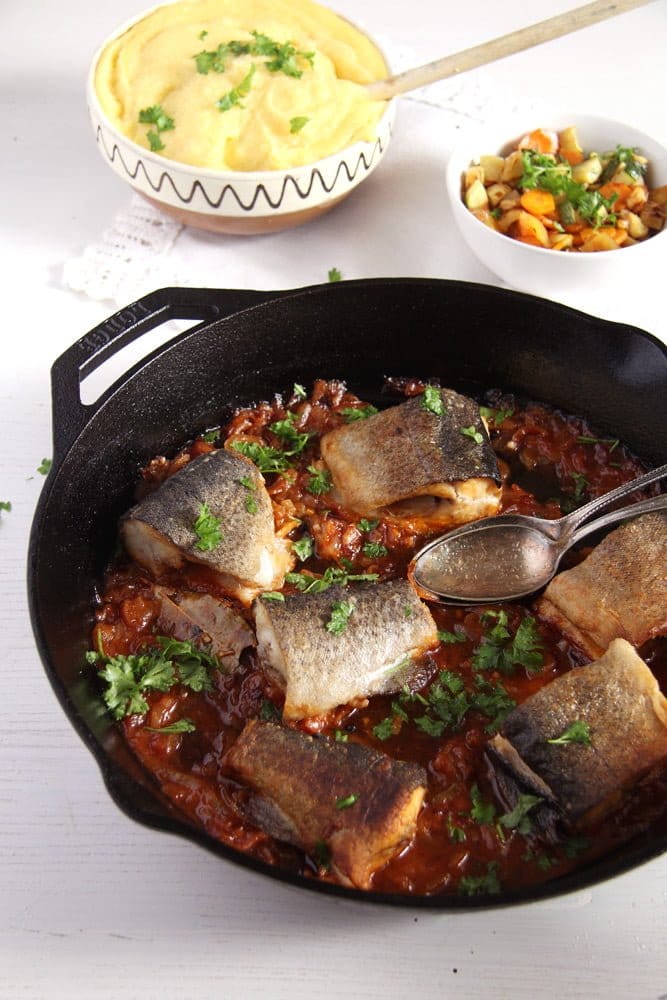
239,114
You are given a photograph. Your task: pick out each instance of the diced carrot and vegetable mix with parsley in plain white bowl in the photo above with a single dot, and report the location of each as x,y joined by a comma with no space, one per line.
549,193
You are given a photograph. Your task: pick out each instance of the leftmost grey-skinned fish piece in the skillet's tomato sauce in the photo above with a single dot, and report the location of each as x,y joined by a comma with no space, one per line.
159,532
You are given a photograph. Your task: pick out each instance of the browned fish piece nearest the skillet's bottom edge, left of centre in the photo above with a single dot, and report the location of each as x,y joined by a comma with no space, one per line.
302,784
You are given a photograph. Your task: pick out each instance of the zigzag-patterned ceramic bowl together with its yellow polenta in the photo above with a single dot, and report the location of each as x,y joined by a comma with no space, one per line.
240,116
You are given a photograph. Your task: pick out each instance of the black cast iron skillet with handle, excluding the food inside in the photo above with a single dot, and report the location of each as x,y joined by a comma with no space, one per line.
246,346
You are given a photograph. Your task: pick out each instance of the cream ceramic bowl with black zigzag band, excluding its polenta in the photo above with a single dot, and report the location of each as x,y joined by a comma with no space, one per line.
234,202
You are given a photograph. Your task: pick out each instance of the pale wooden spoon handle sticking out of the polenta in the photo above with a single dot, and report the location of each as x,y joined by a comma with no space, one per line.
497,48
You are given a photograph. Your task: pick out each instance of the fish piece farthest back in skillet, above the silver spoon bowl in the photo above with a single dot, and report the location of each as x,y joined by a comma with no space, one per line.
407,461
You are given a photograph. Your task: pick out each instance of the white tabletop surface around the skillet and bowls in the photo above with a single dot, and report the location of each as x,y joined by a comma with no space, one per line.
91,904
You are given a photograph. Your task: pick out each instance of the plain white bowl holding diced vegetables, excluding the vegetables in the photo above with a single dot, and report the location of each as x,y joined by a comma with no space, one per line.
553,273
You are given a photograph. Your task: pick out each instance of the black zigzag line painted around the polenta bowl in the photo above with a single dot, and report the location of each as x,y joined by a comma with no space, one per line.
363,162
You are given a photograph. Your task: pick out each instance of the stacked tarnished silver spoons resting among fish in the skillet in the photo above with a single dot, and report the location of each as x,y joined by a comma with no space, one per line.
513,555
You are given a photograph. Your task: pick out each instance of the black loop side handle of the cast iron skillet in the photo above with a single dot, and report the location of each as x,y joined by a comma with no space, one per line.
70,415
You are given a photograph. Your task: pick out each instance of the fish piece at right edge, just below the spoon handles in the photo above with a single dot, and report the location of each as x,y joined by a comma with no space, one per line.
618,591
